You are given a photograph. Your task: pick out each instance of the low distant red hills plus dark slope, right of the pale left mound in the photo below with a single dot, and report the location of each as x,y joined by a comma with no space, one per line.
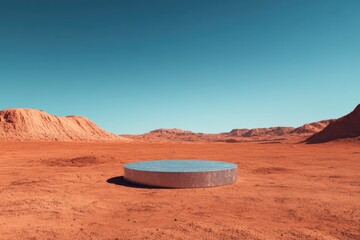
347,127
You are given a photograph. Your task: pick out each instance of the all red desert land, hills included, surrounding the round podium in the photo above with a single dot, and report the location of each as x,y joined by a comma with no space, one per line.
61,179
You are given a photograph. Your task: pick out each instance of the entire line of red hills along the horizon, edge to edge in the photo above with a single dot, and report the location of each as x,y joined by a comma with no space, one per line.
21,124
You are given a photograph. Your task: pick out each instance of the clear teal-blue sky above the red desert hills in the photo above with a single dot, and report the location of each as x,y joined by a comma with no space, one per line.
205,66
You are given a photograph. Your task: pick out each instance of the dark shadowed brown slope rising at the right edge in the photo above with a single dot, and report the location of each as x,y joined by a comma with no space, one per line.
344,127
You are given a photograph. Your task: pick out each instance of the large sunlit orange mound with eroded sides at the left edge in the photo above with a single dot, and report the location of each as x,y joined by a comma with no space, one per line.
37,125
